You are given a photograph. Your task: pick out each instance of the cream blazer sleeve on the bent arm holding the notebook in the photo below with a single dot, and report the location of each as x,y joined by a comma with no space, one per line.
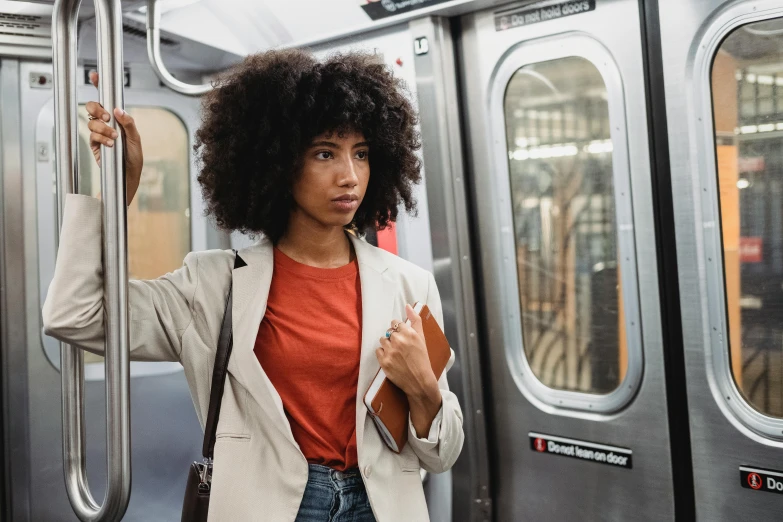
441,456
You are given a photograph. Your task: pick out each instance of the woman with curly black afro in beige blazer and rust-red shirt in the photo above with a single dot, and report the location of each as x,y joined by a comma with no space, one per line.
299,152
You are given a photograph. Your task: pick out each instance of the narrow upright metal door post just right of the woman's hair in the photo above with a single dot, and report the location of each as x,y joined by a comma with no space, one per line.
436,88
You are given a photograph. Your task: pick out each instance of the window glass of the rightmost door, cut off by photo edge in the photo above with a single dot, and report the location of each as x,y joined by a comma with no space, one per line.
747,95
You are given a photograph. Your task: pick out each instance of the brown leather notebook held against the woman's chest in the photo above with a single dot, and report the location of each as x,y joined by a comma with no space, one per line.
387,404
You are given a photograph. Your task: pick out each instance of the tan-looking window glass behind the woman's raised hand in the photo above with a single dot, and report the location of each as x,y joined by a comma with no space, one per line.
159,216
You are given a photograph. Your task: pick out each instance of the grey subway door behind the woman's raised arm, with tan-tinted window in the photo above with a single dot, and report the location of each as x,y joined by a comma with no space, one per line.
165,222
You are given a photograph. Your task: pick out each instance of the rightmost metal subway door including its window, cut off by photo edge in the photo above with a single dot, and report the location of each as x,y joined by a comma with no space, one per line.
723,65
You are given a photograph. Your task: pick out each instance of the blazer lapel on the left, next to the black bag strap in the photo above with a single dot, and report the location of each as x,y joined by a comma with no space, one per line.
251,290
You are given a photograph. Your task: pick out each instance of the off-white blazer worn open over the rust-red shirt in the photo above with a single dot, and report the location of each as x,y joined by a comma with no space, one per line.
259,471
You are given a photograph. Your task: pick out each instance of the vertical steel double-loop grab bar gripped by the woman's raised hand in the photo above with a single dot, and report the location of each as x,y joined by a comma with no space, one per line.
110,67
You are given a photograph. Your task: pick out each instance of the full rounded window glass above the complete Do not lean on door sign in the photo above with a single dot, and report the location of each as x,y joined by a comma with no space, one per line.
560,165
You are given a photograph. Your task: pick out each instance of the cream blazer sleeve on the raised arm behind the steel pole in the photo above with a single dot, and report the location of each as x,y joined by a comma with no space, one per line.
160,310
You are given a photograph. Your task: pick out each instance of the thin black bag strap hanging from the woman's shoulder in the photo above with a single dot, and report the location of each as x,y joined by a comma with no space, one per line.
225,343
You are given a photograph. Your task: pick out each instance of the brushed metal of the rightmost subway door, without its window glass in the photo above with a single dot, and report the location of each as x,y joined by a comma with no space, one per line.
723,438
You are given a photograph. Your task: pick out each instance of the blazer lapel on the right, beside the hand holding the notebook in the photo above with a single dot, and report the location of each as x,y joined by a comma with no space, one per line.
377,301
